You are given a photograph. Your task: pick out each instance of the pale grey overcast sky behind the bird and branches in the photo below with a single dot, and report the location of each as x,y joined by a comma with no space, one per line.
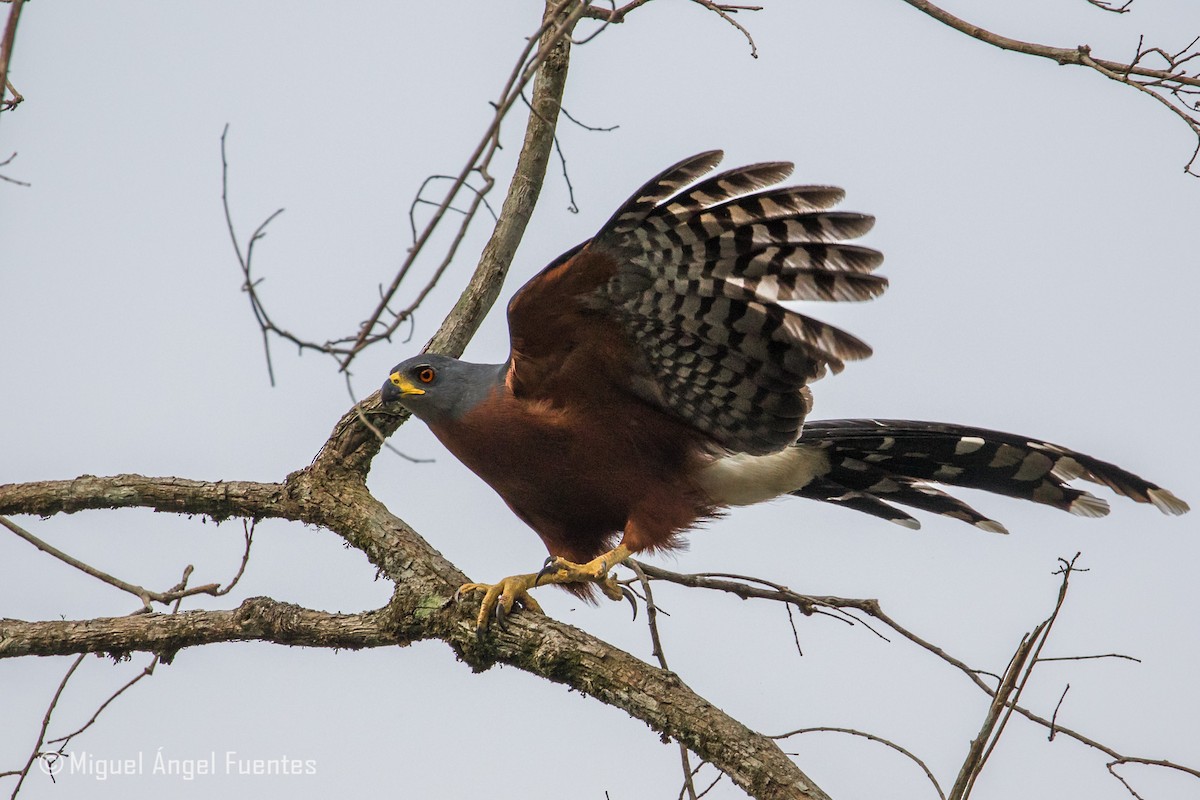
1040,234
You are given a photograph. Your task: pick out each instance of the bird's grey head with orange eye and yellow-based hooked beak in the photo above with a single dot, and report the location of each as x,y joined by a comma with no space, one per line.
439,388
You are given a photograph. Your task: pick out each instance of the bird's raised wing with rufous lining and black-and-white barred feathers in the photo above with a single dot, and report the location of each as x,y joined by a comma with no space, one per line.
677,300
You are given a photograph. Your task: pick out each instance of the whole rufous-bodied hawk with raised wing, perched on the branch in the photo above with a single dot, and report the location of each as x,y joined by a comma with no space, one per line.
656,380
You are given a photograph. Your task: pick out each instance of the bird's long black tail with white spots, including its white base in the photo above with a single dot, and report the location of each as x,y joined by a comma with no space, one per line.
871,465
